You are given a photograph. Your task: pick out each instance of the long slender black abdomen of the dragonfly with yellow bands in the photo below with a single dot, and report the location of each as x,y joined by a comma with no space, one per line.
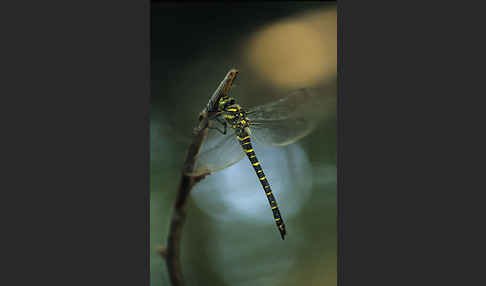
245,142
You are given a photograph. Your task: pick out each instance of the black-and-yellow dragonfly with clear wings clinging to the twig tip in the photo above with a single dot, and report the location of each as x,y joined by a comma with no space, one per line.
232,129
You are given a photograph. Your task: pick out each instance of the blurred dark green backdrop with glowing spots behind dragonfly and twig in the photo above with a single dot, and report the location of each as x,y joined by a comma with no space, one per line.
229,237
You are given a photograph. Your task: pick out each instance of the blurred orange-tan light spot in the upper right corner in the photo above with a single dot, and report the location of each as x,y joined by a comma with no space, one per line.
298,52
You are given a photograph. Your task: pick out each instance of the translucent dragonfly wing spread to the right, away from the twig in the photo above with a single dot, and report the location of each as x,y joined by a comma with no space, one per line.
286,120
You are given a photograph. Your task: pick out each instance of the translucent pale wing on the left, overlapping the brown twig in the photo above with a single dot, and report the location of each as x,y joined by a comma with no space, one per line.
219,151
